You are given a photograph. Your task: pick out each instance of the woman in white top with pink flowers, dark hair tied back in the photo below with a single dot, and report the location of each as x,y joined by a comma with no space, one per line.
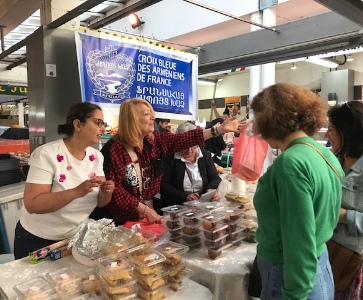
65,182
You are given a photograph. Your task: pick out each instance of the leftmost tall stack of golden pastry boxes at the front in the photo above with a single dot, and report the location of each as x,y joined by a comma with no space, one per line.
116,276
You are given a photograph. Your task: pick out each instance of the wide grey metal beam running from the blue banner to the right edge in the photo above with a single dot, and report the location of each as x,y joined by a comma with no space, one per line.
306,37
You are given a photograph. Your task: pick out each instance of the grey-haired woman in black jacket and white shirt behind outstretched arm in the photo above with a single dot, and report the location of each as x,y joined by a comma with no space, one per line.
188,174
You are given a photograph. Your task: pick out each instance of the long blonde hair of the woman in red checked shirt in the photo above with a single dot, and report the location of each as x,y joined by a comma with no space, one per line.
129,128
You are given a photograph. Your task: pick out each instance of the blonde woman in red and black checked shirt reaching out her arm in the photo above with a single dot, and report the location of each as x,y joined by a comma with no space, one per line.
133,159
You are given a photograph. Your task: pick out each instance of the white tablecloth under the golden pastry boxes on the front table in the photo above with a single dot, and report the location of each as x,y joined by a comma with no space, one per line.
21,270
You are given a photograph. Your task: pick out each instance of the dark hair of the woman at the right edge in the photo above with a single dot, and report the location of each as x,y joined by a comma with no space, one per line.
348,122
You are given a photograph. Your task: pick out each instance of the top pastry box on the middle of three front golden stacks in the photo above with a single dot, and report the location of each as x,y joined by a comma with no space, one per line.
146,260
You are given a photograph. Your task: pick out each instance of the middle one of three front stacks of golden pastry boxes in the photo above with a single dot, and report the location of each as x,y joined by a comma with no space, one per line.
148,272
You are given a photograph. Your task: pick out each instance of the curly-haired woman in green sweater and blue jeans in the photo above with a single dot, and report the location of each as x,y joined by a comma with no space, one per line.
298,199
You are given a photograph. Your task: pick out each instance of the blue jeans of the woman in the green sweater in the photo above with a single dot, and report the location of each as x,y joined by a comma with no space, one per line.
272,280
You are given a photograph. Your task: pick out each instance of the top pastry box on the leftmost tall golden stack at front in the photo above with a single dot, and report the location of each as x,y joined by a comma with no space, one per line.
115,269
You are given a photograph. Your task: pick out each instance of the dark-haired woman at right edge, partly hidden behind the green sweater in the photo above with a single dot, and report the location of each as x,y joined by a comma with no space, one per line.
345,132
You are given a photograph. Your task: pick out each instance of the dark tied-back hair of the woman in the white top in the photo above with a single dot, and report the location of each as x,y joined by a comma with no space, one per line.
80,111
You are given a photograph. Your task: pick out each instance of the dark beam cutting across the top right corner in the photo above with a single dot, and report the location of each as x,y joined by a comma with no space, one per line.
350,9
